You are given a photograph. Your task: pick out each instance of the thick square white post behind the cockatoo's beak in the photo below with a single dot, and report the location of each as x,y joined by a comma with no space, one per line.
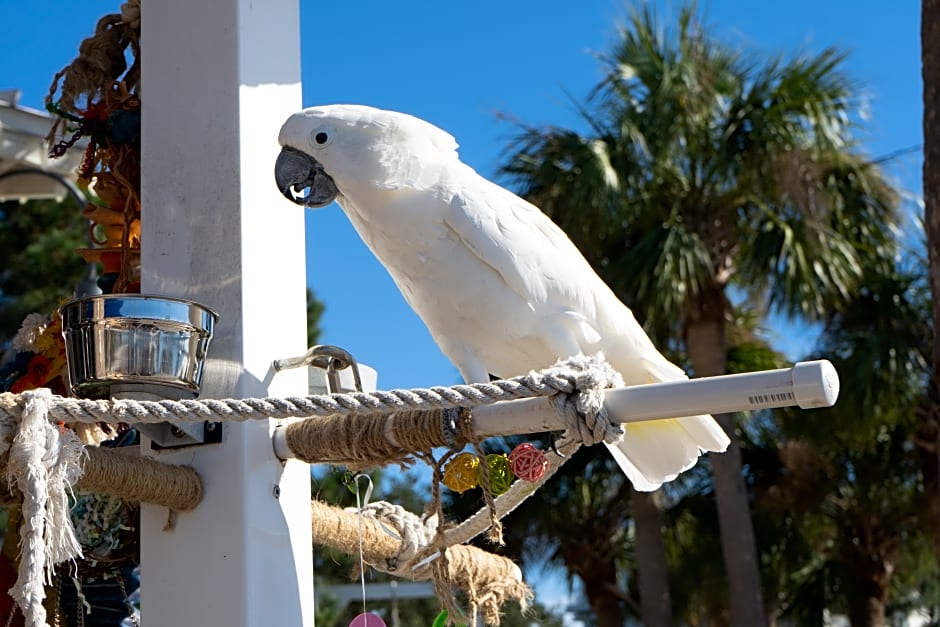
218,79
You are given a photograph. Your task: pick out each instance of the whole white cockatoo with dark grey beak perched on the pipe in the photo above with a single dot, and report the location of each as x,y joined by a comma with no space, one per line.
500,287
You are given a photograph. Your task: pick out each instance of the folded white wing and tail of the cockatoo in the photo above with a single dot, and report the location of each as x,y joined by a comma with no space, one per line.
538,261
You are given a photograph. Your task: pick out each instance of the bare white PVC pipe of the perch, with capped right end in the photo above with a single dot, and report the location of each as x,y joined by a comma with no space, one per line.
808,385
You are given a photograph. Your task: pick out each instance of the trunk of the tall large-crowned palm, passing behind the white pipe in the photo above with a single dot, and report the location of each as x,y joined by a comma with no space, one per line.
707,347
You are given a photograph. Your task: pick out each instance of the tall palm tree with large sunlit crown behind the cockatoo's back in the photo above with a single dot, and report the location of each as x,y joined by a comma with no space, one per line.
706,170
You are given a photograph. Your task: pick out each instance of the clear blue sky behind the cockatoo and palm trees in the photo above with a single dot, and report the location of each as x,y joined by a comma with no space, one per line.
457,64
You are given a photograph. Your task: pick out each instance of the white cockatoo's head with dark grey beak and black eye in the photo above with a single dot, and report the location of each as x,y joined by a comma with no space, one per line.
330,151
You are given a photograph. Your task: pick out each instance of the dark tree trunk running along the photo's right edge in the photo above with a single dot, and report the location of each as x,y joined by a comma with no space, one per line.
930,72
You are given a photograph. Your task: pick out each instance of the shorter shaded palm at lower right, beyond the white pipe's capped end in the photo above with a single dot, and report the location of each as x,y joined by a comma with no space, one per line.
850,480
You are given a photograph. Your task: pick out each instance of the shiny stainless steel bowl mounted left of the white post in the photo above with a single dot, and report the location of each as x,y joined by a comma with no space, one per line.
135,342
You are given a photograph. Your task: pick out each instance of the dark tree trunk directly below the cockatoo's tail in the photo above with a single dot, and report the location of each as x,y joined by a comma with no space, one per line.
653,574
